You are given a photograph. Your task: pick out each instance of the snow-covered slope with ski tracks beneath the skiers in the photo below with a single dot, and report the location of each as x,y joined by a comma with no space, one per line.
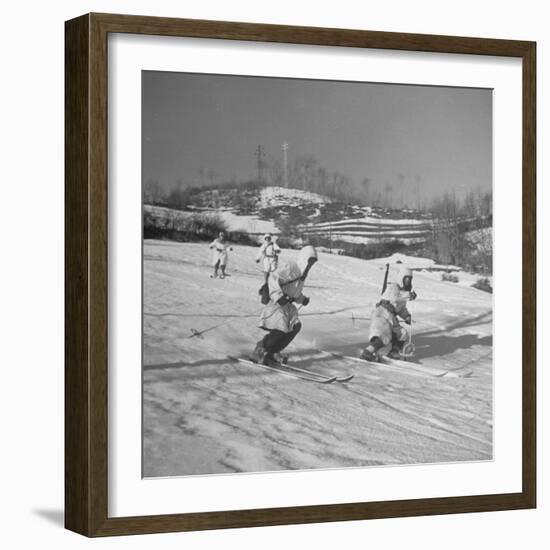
204,413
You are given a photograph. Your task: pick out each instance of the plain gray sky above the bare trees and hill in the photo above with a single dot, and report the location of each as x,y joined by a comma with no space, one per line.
438,137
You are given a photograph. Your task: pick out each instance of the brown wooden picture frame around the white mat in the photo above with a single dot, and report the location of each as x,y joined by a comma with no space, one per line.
86,282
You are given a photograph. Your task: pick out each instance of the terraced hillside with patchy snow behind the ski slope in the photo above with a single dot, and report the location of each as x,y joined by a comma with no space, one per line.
300,217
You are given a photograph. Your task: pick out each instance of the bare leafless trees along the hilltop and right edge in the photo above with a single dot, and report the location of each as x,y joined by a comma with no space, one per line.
461,229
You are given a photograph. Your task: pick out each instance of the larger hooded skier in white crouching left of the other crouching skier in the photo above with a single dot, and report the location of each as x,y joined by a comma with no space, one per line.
280,316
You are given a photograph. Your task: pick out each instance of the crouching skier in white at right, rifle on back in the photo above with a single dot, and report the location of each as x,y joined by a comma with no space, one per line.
386,335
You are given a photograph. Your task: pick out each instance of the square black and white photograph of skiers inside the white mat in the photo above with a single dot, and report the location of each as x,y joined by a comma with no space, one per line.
317,274
